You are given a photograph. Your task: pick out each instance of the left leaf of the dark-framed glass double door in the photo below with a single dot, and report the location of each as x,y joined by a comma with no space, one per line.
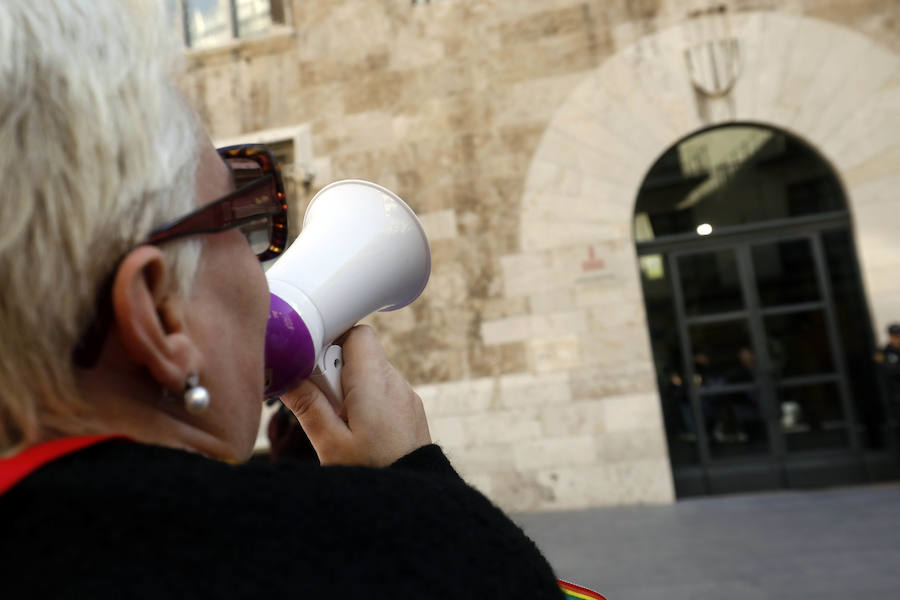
730,402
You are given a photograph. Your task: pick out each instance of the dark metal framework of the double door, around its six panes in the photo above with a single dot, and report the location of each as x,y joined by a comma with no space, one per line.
778,460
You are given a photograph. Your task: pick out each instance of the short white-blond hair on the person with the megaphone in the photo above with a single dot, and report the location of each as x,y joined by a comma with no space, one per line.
98,147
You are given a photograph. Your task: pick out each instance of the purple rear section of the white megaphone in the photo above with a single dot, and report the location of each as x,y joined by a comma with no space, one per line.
290,353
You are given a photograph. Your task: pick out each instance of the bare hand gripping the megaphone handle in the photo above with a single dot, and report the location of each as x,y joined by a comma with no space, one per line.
382,418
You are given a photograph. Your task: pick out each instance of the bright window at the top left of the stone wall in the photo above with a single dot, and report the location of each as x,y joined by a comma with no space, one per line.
209,23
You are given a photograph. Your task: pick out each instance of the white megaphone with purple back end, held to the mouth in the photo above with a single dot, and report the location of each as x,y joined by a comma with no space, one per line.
361,250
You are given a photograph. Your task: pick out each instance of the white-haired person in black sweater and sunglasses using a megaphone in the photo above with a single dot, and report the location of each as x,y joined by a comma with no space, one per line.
132,324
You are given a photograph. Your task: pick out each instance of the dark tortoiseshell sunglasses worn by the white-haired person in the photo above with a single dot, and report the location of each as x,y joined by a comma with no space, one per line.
258,206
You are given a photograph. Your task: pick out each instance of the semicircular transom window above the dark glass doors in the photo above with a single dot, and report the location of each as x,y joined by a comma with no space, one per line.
733,175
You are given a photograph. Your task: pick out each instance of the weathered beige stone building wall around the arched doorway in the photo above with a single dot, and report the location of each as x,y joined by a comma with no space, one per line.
520,132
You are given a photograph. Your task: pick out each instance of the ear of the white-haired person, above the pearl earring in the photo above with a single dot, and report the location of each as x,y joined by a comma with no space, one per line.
150,319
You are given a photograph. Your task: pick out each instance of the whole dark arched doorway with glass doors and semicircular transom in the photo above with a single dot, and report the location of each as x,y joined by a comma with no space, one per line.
758,323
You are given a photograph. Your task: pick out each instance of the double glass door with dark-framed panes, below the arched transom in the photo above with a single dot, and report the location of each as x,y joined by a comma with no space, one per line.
766,388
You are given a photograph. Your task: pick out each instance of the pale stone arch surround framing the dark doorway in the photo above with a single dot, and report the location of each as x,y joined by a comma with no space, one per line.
826,84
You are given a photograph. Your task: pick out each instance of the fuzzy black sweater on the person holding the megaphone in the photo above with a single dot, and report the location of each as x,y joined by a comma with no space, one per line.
127,520
